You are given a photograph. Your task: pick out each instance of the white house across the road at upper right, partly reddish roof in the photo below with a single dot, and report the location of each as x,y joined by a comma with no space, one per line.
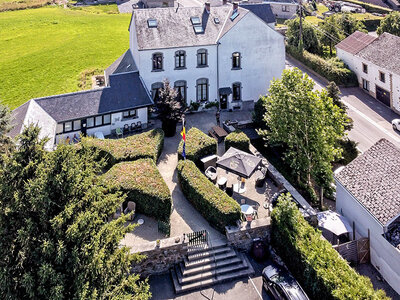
376,61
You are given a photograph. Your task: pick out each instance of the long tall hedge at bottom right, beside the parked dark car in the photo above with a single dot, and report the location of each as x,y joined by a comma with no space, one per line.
320,269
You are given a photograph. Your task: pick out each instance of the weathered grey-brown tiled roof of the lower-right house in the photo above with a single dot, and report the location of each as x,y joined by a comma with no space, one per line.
373,179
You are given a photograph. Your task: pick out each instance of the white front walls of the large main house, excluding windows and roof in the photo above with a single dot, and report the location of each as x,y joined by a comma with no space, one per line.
262,58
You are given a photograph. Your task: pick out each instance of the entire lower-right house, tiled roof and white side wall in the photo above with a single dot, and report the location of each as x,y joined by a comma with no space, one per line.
368,194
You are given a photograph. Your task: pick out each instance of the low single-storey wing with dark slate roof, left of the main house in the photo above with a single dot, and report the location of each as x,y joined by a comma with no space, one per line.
62,117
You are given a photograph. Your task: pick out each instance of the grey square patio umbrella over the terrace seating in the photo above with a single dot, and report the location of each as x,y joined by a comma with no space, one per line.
239,162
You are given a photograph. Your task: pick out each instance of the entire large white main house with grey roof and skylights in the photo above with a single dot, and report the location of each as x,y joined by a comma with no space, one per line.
225,53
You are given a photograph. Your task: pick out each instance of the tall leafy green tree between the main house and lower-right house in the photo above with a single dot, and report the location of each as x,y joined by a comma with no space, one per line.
307,123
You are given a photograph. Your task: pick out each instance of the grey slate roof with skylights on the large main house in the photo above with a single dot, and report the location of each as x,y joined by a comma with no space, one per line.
174,28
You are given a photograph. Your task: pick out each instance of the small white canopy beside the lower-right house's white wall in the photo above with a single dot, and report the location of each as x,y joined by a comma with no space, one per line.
334,222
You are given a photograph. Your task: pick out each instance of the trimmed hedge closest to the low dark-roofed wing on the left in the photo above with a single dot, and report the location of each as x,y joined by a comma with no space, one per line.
145,145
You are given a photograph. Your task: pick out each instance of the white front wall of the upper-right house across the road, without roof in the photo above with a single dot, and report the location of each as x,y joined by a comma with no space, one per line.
391,83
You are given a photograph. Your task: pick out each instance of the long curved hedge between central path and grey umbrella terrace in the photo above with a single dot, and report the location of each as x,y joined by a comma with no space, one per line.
216,206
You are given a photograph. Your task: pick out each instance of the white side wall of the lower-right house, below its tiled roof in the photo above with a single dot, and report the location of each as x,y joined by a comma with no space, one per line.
384,256
